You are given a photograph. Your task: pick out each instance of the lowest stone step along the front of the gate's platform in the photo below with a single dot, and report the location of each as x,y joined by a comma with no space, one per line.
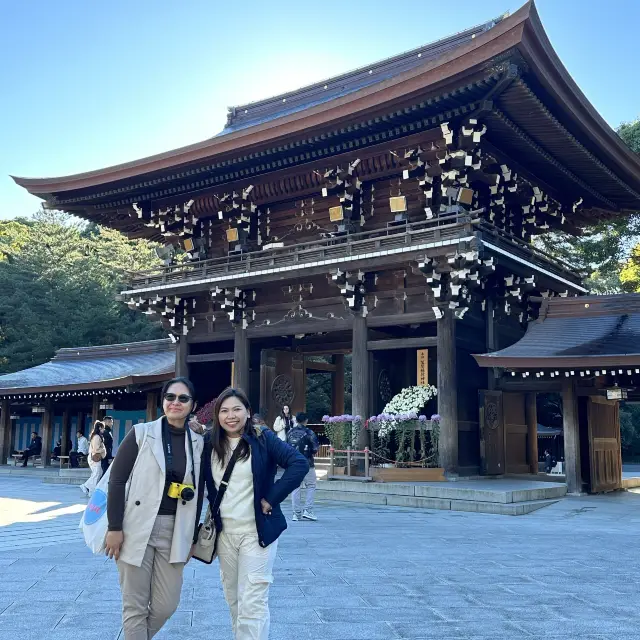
395,500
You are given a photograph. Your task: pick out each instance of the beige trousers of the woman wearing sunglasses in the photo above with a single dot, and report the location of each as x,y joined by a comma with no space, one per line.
151,592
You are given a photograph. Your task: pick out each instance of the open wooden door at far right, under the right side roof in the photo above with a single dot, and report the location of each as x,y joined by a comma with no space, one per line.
605,453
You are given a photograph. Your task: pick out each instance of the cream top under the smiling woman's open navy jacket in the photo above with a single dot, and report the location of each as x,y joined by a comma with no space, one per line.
236,508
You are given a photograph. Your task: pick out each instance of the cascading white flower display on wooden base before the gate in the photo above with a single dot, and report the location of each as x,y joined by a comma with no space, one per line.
413,437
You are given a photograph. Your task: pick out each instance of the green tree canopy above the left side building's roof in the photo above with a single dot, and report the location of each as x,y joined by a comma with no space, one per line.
59,278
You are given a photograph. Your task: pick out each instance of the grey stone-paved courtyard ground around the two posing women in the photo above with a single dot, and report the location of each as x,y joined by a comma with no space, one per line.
361,572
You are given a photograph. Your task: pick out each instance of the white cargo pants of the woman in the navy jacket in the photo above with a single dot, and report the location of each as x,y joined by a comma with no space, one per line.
246,569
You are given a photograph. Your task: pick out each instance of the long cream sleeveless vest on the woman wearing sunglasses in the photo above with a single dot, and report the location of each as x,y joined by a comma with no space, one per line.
146,486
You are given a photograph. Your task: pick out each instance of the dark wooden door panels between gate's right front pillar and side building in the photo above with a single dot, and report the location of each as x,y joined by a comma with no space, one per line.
505,436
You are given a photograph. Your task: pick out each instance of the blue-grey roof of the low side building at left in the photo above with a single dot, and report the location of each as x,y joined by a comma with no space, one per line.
95,368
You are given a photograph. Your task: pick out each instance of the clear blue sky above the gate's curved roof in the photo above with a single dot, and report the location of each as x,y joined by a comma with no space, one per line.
88,84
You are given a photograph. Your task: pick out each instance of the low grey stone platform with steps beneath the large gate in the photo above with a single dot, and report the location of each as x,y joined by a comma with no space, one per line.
500,496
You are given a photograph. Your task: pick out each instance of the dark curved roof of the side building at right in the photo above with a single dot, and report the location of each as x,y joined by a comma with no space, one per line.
576,333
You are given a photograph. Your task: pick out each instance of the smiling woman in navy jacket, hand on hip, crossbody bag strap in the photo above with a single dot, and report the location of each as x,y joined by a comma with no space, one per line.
250,520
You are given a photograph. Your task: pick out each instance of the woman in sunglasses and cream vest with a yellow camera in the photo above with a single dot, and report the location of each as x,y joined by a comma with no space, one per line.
153,528
